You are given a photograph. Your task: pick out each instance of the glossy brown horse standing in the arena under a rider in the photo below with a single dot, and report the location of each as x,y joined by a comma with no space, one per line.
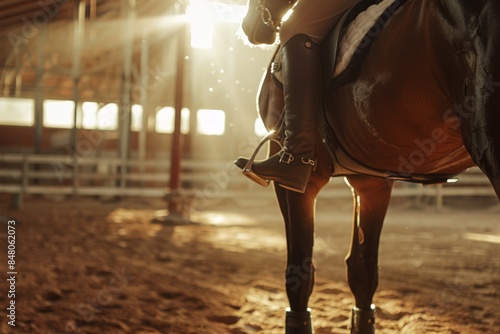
419,102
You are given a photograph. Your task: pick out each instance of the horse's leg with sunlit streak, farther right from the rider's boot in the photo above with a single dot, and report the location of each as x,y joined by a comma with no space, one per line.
371,200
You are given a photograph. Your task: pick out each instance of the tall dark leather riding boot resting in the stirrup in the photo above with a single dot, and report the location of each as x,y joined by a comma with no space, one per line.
303,86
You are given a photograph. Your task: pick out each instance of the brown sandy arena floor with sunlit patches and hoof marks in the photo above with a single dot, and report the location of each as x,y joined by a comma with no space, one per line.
100,266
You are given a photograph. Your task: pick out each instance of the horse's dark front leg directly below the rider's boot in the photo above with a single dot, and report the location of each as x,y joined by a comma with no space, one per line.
298,213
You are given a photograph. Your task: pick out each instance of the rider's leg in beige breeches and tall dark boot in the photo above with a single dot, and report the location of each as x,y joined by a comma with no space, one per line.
300,36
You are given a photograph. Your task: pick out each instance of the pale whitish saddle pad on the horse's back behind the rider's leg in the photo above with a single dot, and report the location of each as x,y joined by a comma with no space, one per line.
358,31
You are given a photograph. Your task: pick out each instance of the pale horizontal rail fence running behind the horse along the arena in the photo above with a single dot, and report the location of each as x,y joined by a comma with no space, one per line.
25,174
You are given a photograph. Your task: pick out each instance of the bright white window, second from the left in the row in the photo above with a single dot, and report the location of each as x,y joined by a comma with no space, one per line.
58,113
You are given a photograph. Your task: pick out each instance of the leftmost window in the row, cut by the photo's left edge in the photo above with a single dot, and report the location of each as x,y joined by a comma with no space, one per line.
14,111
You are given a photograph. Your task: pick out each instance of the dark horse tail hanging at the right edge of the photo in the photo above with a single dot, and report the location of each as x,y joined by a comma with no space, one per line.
480,112
